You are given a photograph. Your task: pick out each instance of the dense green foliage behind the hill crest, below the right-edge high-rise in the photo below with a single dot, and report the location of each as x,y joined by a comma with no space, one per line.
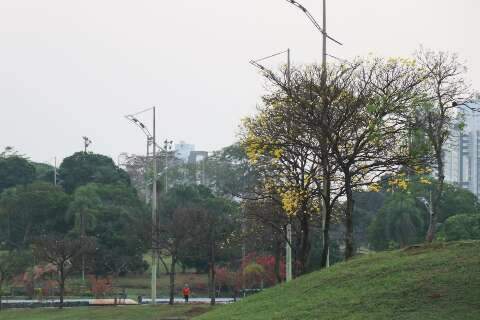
400,217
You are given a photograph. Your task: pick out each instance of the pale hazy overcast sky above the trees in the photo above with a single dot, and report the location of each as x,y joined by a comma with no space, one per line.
74,68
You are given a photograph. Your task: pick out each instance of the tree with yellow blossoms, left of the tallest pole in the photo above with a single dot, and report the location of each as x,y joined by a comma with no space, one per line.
286,167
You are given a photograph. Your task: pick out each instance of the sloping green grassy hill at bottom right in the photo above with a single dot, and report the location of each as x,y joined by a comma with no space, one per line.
440,281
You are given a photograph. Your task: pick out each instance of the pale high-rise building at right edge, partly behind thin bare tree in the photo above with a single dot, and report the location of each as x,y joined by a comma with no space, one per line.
462,152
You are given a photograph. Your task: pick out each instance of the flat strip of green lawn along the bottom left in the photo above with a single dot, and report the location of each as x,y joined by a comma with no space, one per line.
110,313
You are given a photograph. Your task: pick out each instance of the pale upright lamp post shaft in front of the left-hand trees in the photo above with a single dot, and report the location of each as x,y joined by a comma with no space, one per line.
155,223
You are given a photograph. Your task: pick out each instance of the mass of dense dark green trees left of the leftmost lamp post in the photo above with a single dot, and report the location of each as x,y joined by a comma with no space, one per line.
108,210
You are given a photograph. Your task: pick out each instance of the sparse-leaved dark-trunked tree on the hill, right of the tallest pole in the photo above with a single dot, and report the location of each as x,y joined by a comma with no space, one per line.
370,137
